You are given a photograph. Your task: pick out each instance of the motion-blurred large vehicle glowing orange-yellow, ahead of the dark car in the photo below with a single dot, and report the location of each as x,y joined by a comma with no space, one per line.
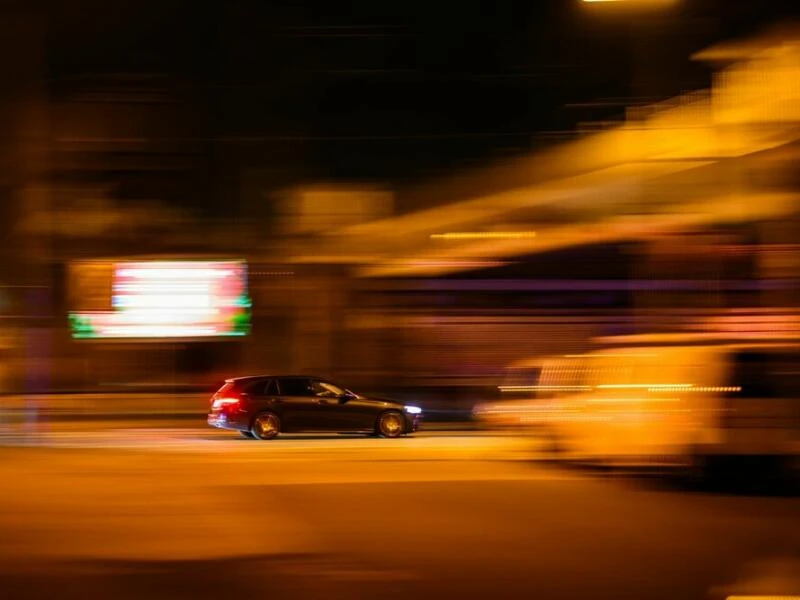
679,401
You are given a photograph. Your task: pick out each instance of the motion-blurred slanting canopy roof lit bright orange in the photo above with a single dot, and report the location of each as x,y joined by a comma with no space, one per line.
670,167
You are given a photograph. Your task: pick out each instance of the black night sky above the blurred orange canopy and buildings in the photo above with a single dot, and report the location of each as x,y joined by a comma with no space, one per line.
397,91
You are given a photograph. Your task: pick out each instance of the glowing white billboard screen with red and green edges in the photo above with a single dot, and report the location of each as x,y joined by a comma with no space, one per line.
170,299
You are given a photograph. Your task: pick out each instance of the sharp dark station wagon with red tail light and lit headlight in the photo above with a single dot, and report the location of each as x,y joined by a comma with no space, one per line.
263,406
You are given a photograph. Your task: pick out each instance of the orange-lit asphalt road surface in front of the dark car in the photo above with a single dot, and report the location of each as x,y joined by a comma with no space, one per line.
168,513
